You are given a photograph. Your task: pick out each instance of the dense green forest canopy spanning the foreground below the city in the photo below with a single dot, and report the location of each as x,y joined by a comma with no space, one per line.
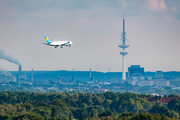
109,105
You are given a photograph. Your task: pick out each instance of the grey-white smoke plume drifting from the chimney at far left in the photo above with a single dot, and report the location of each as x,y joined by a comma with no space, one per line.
8,57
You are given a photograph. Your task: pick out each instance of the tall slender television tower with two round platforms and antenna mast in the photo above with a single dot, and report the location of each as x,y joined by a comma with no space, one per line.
123,53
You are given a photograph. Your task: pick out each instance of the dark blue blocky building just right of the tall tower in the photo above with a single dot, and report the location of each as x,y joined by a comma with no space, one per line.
135,72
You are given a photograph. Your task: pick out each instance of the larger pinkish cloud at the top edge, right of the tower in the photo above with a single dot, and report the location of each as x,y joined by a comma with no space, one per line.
156,5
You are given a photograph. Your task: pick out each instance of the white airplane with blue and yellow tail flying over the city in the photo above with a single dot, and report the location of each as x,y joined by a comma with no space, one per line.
57,43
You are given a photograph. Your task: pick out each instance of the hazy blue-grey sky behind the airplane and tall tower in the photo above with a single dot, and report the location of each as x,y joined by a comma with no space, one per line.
94,27
